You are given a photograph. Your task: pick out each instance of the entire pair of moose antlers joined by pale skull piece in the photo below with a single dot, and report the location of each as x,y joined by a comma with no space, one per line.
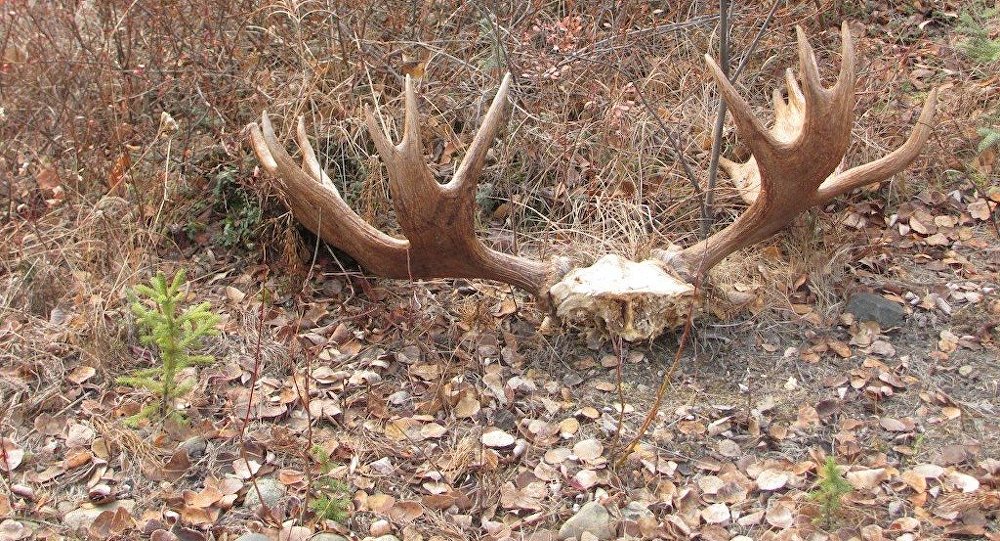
794,167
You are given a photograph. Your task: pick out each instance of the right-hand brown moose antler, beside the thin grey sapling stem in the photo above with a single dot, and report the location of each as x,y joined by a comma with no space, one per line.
794,164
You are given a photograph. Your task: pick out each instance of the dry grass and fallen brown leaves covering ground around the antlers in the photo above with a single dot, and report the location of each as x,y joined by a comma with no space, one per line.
123,153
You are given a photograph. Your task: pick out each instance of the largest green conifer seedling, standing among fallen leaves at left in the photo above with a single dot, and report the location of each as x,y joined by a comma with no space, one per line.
175,333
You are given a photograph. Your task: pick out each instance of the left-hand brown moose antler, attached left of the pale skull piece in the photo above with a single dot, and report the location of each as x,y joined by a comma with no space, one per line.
437,219
